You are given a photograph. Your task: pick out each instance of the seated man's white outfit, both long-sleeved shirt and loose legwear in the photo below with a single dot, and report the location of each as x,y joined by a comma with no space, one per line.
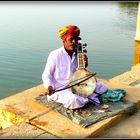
57,72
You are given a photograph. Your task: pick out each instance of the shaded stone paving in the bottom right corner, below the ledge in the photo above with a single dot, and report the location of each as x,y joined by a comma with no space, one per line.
128,128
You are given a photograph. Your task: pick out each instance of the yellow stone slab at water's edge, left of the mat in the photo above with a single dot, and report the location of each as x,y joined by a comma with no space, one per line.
23,103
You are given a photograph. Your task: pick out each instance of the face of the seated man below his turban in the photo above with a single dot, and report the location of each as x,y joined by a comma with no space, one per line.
70,43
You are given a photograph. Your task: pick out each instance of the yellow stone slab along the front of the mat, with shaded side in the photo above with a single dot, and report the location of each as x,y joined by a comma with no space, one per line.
61,126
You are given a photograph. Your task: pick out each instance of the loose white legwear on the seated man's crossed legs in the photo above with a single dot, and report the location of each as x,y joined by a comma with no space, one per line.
74,101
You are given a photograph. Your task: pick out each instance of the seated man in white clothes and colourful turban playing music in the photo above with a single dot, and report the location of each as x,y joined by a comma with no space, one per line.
61,63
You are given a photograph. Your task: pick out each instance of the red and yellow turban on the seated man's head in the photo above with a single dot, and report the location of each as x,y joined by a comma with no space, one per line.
70,30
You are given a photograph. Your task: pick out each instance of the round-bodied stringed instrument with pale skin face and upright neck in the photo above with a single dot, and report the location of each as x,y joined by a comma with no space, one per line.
85,79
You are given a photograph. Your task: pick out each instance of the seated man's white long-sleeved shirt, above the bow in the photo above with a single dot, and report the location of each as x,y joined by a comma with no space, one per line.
58,69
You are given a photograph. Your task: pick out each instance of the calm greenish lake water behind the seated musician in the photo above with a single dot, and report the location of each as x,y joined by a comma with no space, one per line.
29,31
